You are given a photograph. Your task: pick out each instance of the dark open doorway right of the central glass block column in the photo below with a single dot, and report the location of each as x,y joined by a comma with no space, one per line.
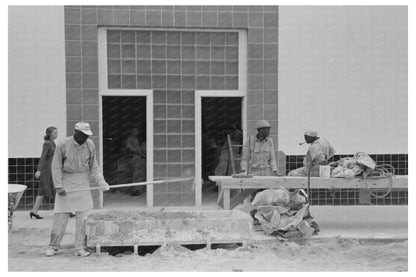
220,116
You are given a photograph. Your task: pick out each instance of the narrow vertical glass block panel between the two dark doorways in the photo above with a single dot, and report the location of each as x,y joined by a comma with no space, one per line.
174,133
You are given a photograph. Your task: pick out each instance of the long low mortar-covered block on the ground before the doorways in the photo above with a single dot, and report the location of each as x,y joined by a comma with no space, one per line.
153,226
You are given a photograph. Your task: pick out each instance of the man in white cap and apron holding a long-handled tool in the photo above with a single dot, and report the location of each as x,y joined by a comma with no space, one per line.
73,164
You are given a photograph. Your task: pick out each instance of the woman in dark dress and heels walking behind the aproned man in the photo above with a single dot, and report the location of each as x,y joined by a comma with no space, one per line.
44,170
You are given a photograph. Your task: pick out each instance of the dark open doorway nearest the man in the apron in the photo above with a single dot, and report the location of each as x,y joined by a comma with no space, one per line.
124,142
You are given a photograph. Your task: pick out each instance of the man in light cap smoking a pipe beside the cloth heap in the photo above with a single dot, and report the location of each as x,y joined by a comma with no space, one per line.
319,151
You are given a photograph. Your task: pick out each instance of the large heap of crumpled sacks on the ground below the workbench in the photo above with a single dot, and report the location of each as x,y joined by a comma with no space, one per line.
283,213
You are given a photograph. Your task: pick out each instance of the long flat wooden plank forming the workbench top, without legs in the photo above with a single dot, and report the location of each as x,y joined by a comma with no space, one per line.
258,182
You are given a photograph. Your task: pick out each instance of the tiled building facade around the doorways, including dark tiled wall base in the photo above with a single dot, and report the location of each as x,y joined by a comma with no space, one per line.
174,52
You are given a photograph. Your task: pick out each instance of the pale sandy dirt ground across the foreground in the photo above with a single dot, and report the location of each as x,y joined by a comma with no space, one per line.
328,252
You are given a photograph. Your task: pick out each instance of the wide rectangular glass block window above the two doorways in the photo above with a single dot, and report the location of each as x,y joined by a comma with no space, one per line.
167,60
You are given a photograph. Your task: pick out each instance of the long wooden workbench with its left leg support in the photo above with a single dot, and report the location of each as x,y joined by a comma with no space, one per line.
247,185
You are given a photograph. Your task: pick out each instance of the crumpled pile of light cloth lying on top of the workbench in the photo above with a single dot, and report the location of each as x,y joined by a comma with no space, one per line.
350,167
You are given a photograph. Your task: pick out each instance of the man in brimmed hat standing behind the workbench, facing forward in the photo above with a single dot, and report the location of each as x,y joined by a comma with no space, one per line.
263,155
